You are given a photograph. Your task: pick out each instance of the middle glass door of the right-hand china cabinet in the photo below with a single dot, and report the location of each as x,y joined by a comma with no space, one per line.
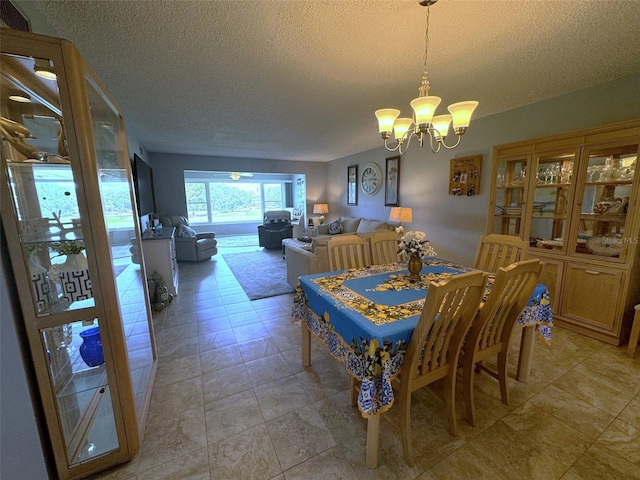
552,193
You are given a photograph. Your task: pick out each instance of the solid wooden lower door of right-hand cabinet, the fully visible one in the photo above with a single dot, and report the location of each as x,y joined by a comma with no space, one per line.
591,295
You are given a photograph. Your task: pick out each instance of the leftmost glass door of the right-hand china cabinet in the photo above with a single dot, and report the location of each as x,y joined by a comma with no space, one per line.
511,186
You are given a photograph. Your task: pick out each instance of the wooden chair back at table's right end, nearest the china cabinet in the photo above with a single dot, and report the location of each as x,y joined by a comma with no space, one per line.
495,251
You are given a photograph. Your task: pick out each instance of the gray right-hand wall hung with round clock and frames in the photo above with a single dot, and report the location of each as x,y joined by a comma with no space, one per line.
453,224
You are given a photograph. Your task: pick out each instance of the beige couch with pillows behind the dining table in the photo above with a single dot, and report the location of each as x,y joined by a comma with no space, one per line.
304,262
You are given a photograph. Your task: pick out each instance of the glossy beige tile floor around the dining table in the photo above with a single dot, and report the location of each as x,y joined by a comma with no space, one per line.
232,401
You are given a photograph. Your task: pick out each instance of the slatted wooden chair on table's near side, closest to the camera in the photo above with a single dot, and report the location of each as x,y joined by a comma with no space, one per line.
432,353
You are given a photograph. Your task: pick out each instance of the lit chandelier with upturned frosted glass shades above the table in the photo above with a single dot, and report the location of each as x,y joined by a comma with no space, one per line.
423,124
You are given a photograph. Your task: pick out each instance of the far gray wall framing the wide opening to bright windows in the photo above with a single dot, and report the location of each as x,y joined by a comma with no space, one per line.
168,181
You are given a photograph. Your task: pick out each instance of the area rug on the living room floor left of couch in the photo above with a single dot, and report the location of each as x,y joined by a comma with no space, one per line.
261,273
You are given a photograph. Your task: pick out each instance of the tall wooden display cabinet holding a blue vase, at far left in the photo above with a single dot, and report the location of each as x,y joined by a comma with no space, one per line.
69,218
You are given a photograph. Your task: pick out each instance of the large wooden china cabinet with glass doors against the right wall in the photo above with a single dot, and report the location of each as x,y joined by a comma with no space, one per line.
576,198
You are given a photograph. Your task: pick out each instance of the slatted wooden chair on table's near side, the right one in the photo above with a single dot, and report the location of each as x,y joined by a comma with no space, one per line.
490,332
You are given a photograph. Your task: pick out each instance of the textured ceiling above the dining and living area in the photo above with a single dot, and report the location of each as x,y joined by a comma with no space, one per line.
300,80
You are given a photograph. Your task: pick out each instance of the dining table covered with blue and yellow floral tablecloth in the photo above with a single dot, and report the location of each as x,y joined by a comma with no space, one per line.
365,317
